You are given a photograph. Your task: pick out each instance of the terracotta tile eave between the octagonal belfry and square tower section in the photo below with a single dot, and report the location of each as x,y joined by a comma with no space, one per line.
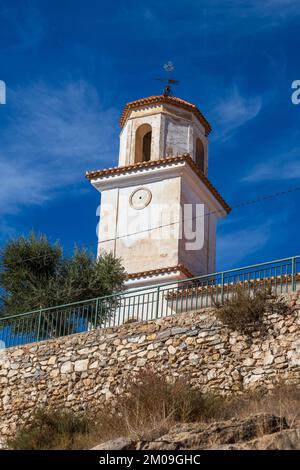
90,175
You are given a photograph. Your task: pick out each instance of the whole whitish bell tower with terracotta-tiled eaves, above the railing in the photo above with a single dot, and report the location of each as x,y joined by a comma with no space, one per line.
158,208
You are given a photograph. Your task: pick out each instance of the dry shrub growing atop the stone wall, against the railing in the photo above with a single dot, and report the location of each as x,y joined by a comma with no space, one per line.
244,309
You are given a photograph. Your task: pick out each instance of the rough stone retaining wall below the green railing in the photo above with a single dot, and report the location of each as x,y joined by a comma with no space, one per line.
85,371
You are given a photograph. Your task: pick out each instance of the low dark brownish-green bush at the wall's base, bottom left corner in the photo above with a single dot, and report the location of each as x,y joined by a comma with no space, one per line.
51,429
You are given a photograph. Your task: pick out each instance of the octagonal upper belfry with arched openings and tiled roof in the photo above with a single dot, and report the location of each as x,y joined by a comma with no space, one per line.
163,126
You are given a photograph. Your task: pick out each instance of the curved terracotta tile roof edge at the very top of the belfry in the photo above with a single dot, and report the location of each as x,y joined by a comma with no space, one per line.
168,100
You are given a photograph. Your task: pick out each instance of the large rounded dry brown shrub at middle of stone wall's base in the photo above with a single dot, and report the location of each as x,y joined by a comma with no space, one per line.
150,403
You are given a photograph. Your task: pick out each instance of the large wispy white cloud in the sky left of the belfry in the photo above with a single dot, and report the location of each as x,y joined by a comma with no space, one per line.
54,135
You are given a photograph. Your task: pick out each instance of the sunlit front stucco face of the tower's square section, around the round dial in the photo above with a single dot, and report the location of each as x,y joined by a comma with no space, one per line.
133,234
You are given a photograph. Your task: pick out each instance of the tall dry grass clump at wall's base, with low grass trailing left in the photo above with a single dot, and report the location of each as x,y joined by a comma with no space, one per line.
150,405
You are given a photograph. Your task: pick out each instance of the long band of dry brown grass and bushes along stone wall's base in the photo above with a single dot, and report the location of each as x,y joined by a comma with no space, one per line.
147,409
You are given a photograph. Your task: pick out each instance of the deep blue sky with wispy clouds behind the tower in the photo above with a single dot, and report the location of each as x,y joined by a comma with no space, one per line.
70,67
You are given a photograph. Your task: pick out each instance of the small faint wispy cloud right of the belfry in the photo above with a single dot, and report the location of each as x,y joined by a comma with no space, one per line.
234,111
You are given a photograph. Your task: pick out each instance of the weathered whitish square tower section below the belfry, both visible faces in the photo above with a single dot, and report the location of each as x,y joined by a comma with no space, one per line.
178,226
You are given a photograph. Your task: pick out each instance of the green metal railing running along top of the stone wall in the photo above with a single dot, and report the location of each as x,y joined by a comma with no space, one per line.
146,303
